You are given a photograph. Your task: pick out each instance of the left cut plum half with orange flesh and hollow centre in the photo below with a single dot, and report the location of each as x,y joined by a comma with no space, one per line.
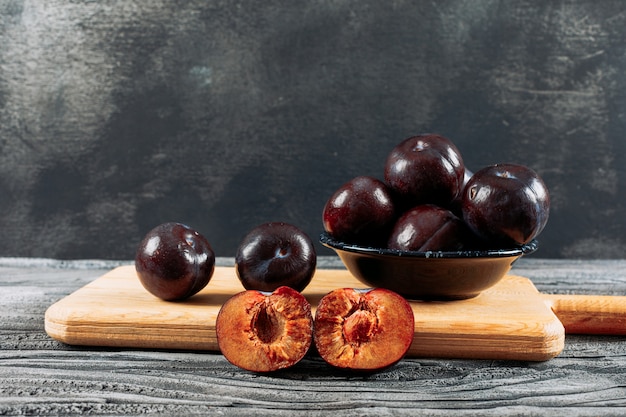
264,332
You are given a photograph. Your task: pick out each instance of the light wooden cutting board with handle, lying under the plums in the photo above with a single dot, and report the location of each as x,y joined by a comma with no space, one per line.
512,320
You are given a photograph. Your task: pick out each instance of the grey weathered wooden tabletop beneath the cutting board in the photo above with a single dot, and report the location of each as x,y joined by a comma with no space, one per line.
41,376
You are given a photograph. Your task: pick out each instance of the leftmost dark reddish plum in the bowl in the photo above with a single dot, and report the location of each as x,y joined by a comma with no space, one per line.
360,211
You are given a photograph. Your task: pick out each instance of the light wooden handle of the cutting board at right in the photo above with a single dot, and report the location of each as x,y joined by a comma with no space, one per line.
590,314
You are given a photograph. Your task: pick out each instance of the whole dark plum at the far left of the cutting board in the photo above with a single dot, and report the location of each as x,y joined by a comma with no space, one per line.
174,261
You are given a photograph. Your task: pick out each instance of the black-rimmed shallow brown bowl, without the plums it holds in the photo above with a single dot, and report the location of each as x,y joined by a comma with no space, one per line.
428,275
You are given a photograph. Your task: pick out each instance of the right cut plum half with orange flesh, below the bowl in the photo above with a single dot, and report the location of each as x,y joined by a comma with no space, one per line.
364,330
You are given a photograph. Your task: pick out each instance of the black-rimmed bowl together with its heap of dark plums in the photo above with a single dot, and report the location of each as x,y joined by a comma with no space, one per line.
431,229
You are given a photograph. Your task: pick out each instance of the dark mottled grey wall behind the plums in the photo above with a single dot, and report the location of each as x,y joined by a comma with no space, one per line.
118,115
